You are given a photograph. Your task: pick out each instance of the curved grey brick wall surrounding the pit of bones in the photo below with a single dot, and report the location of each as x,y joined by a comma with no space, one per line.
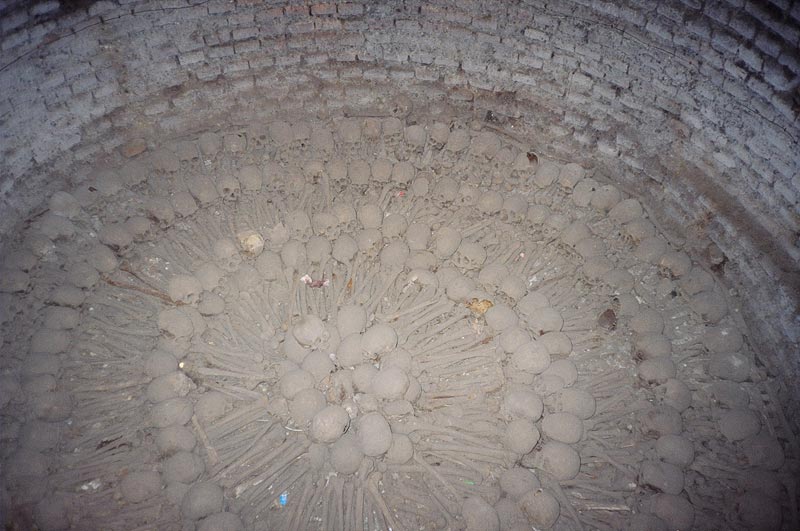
691,105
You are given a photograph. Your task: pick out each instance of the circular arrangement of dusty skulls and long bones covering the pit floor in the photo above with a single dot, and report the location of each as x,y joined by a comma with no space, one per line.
357,325
